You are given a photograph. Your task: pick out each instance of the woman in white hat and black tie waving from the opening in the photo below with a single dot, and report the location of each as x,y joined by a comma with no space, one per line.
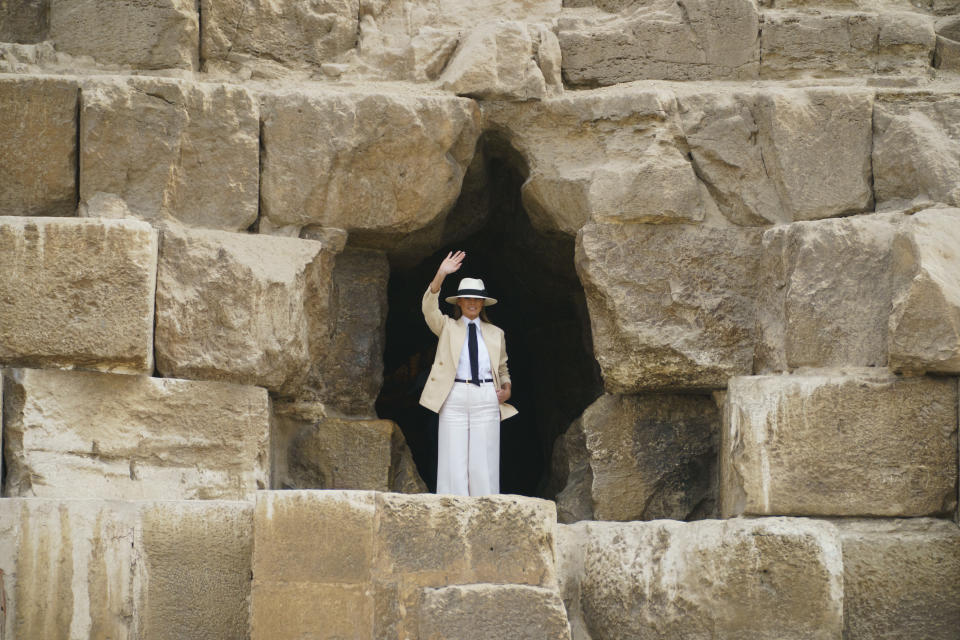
468,386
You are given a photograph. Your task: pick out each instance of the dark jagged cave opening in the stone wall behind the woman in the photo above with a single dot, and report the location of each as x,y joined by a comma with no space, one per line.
541,309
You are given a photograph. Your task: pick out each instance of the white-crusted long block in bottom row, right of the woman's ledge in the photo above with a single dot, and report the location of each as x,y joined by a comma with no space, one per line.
767,578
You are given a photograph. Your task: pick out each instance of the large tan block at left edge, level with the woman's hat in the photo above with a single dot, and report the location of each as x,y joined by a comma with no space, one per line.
77,293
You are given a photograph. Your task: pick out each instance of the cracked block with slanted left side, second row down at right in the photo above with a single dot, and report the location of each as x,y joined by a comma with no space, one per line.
761,152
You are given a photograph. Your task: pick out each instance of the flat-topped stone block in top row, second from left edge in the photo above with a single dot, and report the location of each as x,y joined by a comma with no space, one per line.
147,34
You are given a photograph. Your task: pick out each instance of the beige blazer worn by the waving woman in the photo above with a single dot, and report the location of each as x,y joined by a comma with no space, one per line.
452,334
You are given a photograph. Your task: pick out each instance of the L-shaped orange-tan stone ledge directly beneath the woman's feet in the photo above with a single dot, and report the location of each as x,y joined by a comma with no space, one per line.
351,564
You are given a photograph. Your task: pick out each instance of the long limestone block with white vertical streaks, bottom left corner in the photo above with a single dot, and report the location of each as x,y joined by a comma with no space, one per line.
117,569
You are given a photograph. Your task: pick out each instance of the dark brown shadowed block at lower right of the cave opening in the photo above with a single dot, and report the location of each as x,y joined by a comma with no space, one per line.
650,456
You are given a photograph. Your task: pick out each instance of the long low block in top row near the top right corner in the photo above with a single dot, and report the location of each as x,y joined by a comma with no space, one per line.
833,43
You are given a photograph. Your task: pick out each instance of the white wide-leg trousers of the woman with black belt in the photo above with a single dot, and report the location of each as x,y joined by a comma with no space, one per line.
468,452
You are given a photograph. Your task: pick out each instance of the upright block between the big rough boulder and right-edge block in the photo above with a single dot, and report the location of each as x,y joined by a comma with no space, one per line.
815,310
